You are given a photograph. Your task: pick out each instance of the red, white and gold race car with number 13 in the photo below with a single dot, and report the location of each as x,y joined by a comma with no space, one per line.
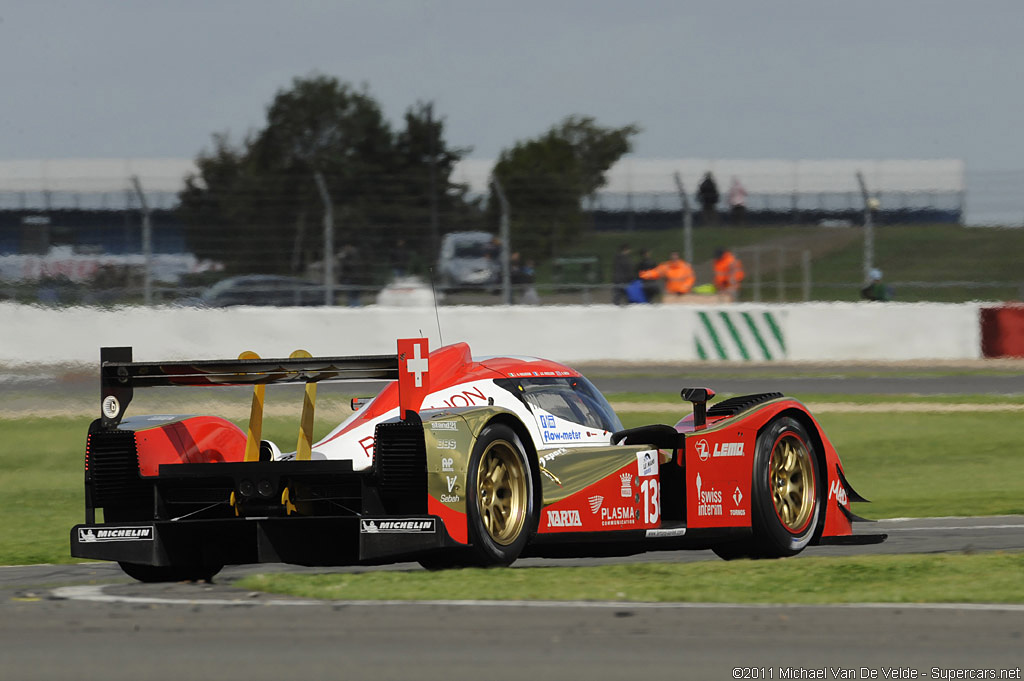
459,460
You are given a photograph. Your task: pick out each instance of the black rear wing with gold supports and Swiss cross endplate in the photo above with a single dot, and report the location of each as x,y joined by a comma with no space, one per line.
120,376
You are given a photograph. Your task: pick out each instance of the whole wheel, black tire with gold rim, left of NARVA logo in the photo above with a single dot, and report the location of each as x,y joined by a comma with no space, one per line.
500,497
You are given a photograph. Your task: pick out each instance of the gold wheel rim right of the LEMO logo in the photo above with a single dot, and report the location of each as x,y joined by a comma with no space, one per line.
791,476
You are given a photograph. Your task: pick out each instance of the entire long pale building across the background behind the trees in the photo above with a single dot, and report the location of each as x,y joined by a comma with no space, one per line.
90,206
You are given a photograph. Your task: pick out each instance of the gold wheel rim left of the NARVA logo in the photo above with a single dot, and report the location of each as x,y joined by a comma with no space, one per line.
501,493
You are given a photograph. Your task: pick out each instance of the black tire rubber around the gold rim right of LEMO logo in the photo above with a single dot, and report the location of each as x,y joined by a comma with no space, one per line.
773,537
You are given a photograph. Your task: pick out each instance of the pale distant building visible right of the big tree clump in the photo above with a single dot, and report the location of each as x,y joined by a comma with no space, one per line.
642,194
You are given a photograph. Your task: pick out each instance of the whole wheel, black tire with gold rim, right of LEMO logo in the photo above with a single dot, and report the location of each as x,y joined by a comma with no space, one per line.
786,494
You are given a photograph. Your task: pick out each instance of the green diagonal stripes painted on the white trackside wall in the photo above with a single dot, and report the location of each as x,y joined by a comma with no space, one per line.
740,335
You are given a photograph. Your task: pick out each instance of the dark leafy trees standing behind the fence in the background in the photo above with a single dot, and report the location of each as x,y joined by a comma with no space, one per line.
257,206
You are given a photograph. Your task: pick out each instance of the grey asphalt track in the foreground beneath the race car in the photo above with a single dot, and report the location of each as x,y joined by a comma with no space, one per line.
91,622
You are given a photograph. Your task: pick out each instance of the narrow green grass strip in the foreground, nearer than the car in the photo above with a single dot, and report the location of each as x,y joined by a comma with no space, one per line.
897,579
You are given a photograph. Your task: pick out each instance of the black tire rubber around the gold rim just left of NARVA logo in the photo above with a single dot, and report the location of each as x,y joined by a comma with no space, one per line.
488,551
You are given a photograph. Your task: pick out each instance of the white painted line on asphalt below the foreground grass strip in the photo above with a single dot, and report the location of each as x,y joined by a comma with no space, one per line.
95,593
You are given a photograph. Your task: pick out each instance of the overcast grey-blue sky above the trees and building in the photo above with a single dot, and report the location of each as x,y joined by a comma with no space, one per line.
717,79
